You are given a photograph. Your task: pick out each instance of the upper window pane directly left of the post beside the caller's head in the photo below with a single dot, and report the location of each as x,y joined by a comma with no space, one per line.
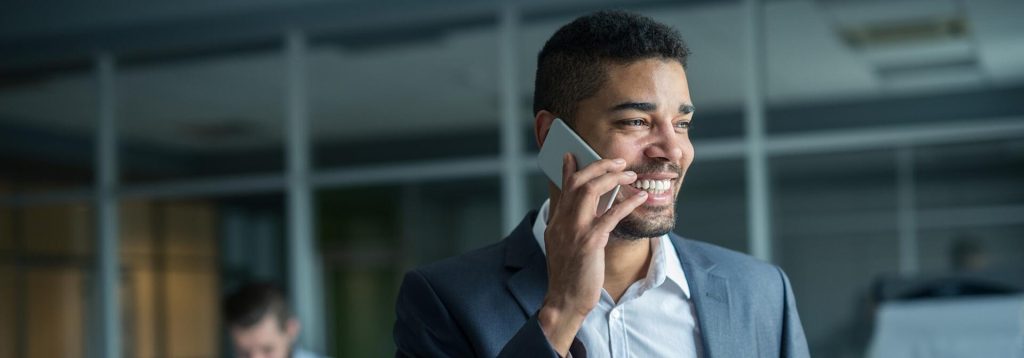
419,99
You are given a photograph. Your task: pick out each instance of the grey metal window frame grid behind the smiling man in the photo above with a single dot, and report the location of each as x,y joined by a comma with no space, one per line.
511,166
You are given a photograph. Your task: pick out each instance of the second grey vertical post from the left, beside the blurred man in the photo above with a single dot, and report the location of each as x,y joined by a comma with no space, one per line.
305,278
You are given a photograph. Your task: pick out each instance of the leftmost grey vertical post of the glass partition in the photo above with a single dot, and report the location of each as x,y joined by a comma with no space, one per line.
107,283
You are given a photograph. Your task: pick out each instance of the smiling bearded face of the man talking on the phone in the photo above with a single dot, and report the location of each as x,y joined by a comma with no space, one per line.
643,115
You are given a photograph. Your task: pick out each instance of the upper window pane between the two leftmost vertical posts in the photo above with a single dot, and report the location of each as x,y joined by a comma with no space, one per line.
201,116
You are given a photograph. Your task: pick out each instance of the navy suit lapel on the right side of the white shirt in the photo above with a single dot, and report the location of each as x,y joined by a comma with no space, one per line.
710,293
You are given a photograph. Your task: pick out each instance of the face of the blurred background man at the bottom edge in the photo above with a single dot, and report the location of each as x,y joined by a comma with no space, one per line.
266,340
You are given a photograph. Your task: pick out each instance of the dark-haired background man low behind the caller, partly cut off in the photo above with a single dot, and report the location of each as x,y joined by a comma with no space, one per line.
262,325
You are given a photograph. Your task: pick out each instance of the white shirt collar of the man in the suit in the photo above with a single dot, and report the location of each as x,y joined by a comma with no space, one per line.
663,265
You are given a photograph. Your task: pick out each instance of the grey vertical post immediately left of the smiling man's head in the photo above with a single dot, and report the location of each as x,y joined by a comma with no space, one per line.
514,177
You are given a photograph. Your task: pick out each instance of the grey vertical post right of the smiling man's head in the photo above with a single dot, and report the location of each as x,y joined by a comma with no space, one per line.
758,196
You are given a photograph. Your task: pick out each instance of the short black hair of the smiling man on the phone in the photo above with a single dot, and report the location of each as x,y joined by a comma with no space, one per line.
573,65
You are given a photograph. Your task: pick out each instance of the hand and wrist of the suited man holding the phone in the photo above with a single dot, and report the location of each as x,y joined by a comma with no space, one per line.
575,242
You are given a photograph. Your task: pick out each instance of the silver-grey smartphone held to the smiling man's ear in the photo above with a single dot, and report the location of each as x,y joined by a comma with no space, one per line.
563,140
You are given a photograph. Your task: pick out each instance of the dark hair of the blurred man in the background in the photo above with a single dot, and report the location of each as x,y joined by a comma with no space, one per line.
248,305
